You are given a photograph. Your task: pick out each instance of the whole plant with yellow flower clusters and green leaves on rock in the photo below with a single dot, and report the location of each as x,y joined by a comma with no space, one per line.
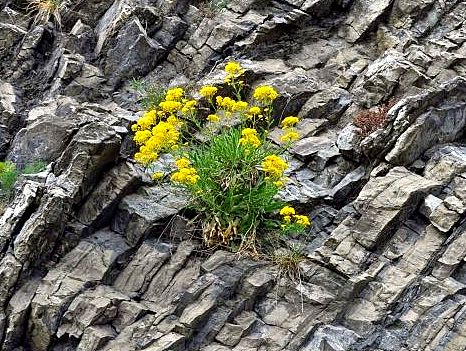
235,173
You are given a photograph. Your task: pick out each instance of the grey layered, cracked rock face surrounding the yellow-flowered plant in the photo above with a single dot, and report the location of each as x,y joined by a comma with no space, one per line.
94,257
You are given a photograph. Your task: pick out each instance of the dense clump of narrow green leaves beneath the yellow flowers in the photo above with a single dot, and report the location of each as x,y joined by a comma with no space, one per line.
232,191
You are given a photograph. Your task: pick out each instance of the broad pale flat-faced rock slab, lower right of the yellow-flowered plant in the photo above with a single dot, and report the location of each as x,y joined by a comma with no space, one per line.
381,204
